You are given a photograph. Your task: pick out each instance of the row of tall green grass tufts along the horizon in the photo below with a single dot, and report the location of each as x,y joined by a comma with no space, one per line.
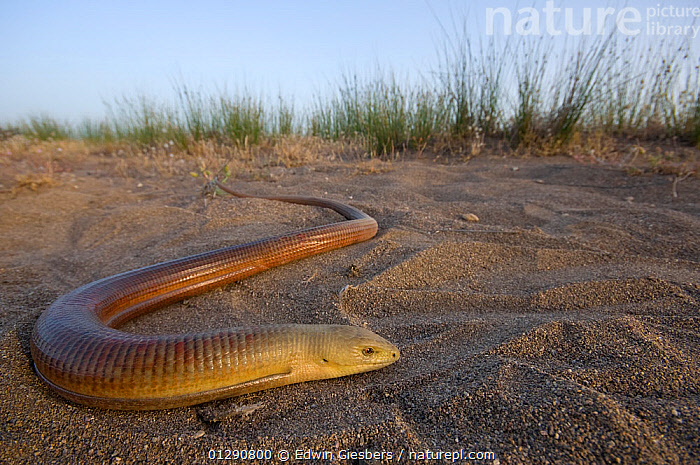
528,91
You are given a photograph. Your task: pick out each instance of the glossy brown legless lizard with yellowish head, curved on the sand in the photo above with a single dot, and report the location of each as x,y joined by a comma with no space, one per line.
78,351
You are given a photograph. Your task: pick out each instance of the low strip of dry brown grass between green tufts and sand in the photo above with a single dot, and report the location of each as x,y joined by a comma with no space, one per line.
31,164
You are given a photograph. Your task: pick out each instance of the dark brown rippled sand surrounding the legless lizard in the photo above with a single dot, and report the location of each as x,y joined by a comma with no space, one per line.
561,327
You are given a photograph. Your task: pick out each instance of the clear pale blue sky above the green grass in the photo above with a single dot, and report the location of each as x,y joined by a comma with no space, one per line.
65,59
